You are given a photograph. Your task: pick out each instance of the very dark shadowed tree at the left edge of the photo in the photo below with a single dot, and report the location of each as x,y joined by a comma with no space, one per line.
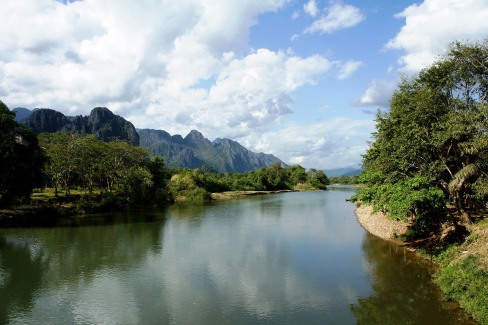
21,160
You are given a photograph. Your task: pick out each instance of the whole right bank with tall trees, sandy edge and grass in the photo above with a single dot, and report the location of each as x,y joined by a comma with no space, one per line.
426,172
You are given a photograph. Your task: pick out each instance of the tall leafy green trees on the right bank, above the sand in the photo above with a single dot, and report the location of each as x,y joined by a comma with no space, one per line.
435,132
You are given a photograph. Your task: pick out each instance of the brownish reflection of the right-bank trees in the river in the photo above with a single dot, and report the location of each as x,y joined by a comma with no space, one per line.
403,293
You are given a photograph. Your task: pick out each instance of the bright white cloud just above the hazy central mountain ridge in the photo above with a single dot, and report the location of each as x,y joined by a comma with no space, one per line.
249,93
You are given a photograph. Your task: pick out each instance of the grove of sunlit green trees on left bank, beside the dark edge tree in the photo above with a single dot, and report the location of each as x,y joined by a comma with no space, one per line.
83,161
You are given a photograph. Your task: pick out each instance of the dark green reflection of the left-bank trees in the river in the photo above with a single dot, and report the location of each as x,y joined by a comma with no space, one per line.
43,259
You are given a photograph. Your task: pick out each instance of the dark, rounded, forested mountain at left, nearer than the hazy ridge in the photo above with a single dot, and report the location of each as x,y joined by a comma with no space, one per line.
101,121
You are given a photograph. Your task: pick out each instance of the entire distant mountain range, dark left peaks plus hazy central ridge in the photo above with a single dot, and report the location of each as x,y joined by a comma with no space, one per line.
193,151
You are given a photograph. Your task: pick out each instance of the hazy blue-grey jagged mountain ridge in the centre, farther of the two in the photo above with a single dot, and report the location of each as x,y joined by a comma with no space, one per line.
194,151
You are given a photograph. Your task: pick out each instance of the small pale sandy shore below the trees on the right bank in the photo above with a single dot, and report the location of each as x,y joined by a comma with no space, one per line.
378,225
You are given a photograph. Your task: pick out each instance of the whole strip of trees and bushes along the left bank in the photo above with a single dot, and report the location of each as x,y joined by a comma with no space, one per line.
49,176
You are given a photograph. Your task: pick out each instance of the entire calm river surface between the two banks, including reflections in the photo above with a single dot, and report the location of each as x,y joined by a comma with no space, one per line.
290,258
